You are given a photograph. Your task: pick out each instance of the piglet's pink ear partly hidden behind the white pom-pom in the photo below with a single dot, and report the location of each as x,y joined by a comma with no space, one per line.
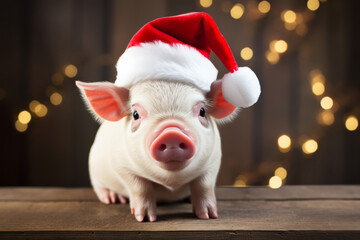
220,108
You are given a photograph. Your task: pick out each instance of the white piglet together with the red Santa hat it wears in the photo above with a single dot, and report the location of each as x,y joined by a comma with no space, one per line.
158,139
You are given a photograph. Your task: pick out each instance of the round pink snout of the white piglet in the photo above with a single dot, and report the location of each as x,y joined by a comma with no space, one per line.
172,146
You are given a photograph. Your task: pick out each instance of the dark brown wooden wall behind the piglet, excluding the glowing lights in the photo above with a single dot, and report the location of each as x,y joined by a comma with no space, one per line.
40,37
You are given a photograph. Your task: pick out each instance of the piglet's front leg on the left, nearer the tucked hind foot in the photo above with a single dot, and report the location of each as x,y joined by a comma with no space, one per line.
142,199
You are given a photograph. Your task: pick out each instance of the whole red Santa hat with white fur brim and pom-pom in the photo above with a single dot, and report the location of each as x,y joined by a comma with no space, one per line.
177,49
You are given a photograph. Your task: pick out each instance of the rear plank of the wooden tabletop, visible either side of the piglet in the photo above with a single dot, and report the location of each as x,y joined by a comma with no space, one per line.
223,193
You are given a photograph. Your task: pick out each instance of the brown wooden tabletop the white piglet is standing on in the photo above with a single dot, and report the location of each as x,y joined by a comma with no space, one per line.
296,212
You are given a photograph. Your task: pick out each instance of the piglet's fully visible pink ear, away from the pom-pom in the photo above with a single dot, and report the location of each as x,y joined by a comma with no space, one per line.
105,99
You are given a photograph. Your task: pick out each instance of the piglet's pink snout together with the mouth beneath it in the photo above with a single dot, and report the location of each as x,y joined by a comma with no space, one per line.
172,146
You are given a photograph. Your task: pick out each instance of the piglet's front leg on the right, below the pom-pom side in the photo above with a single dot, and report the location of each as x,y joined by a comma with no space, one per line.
203,197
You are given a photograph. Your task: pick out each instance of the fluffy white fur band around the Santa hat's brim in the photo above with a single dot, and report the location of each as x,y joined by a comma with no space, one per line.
159,60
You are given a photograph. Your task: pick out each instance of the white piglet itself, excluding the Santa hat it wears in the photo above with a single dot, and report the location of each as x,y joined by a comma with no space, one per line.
164,147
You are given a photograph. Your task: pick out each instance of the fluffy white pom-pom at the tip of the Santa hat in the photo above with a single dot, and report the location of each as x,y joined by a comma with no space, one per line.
241,88
